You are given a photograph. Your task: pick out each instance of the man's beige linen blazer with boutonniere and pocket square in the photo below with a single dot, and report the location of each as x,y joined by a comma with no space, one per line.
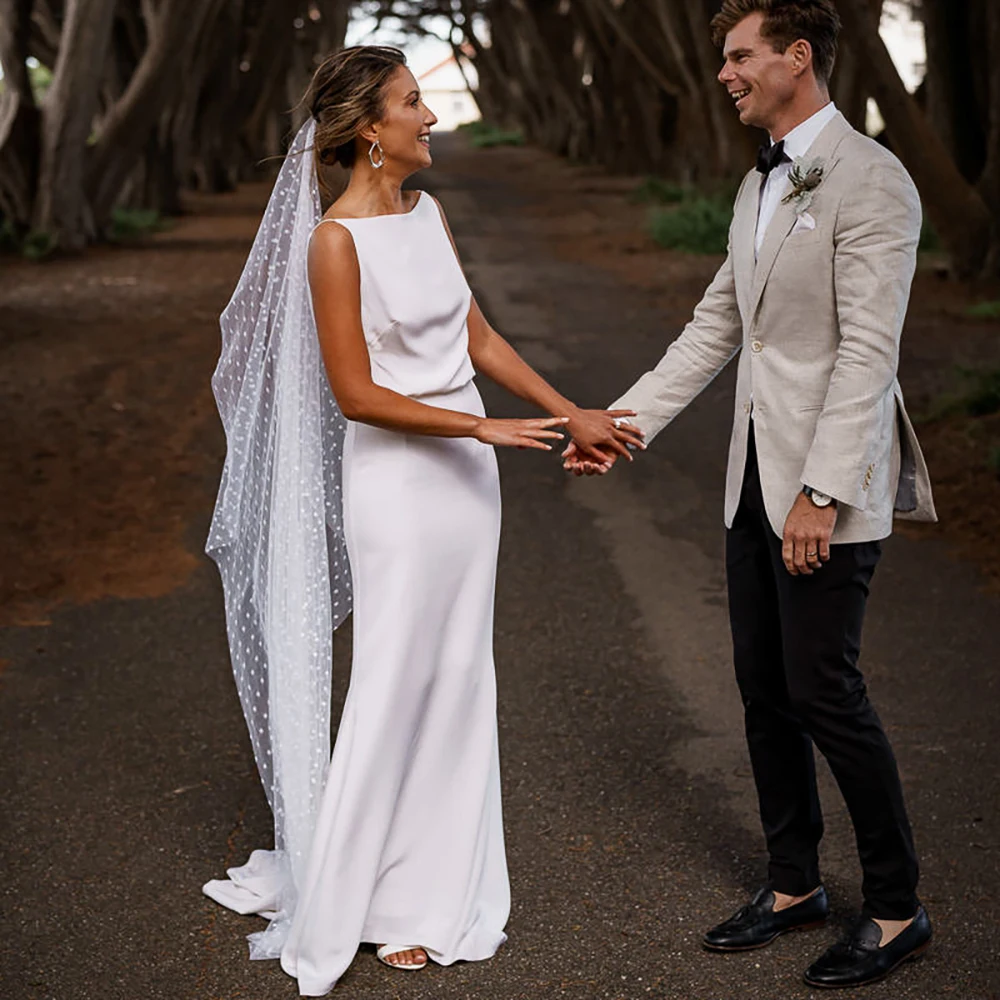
816,320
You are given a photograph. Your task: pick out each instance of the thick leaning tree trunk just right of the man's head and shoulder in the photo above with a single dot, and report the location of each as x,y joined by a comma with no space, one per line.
959,214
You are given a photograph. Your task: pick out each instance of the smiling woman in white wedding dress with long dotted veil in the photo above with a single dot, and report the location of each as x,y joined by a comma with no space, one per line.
397,839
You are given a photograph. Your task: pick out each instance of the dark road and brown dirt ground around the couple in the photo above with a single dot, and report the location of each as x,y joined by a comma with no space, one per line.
629,806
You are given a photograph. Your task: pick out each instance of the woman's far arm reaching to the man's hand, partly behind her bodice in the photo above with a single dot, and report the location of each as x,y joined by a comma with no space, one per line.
495,358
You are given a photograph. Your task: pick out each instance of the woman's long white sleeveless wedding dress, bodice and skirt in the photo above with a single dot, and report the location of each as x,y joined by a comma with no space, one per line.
408,846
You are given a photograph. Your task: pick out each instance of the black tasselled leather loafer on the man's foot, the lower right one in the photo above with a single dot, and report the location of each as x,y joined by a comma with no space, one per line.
858,959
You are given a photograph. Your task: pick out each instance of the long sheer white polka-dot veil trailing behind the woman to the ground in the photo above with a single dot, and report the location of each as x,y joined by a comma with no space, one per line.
278,540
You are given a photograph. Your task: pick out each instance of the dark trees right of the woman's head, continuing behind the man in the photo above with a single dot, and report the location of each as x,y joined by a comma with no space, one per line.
631,84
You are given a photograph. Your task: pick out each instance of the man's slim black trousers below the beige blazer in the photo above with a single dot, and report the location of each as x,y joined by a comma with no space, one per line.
796,641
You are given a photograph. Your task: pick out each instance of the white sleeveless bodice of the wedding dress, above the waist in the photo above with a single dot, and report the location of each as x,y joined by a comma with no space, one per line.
414,301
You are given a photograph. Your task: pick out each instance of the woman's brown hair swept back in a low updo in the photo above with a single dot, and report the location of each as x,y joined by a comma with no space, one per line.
346,95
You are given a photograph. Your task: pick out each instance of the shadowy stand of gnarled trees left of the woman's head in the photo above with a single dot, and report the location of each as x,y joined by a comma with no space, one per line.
146,97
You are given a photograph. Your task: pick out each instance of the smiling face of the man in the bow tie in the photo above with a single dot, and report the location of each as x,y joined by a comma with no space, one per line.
759,80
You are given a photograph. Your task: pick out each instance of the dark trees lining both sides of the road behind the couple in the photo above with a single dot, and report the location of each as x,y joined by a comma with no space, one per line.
147,97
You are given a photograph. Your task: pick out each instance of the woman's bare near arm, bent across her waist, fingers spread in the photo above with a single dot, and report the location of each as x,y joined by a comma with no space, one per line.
335,283
